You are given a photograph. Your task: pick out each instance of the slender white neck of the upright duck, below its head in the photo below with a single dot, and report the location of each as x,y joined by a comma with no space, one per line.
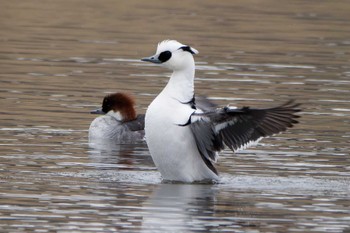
181,85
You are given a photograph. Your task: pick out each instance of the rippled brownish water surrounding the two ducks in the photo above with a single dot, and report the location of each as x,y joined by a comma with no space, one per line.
59,58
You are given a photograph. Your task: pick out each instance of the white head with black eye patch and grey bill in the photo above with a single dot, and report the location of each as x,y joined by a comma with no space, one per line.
173,55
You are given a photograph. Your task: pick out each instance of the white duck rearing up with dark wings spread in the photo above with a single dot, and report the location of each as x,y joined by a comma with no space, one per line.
183,138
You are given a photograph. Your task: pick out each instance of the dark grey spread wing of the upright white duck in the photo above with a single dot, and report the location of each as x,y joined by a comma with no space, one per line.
237,128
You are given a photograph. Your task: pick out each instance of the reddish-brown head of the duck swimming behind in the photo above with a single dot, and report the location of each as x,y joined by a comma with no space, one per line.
122,103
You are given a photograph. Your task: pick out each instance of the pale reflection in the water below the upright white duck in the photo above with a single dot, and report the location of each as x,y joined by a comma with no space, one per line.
176,207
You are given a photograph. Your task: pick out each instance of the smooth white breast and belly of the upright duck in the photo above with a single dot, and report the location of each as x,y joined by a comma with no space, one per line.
172,146
